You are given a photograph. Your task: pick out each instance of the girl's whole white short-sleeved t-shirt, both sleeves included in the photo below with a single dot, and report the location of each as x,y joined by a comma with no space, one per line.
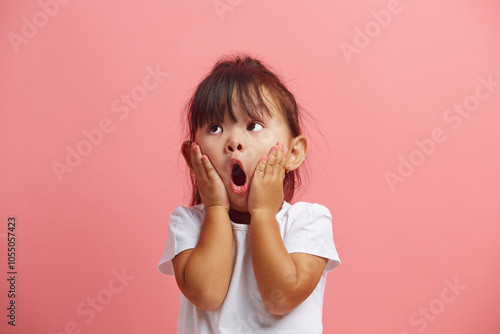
304,228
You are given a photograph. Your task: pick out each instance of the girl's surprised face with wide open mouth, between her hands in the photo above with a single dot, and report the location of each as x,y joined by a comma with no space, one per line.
242,142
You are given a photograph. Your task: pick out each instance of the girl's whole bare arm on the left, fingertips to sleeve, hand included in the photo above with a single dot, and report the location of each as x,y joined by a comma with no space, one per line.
203,273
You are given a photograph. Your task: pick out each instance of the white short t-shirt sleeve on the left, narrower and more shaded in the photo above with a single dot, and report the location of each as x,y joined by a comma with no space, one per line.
183,231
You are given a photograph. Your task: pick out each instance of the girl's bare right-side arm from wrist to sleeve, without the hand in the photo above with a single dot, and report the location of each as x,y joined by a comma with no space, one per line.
285,280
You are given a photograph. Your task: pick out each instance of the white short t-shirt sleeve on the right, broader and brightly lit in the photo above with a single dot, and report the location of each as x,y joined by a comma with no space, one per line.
311,232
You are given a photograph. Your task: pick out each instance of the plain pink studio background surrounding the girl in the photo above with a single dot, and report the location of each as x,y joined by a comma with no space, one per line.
401,245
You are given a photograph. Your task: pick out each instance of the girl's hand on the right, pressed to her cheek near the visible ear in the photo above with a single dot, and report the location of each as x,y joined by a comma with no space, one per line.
266,189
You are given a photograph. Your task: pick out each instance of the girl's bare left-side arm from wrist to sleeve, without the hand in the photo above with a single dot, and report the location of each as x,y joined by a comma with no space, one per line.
203,273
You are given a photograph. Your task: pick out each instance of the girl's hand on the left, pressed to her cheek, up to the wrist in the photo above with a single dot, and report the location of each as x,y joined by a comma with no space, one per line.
210,185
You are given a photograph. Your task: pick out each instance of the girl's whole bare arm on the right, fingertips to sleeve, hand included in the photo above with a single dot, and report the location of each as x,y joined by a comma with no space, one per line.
285,280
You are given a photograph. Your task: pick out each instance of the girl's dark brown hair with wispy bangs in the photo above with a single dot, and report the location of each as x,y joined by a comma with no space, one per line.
240,81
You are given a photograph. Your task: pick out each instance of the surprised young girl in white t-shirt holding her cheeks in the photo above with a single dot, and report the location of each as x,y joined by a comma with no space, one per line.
245,259
